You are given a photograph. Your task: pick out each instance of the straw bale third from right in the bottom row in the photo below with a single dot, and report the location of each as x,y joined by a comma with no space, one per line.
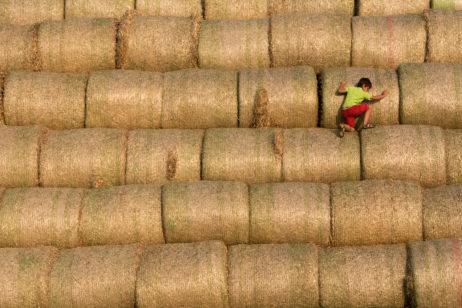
281,275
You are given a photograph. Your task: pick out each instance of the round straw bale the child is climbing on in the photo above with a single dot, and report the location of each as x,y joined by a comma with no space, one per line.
384,112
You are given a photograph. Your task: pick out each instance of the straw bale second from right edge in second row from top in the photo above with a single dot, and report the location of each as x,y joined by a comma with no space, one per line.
388,41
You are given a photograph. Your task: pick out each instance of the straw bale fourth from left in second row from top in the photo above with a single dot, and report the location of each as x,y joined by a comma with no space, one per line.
234,44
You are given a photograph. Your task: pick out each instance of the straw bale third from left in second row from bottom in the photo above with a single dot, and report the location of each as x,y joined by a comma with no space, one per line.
202,211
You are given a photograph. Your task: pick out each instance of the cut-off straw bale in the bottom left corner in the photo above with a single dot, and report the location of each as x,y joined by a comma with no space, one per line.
24,276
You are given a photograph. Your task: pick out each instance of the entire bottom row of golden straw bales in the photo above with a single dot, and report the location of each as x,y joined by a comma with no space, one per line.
208,274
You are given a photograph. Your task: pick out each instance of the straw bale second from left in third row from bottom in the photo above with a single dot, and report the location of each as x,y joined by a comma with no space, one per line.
80,157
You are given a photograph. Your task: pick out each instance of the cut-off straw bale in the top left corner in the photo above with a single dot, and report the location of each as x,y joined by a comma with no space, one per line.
21,12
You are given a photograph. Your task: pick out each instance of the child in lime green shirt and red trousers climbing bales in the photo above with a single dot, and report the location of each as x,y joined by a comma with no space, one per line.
353,106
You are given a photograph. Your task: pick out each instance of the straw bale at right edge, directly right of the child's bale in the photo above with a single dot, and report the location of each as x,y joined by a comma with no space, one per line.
431,93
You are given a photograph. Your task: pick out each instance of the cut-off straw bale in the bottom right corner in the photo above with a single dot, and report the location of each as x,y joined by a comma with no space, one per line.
435,273
